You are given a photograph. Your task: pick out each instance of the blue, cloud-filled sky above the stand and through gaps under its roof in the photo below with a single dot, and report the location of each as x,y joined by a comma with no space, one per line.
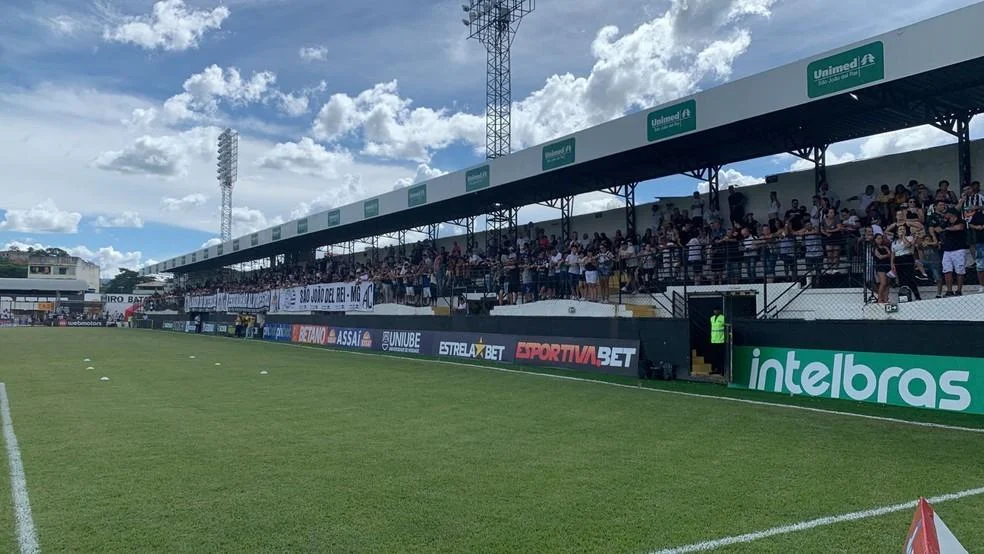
110,110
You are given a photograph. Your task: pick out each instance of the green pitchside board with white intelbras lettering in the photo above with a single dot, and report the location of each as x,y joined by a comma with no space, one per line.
935,382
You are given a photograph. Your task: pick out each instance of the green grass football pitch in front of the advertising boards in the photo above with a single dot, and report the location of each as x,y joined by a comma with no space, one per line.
337,452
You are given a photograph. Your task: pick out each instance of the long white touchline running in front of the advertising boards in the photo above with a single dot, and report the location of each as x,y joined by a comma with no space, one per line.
633,387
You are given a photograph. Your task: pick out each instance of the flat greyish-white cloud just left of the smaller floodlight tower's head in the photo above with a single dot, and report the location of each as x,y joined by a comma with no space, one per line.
162,156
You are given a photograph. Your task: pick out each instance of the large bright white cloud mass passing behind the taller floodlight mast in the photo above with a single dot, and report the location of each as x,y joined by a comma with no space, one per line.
665,58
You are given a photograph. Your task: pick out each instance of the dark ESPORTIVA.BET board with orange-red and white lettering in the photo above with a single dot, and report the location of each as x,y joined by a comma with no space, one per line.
615,356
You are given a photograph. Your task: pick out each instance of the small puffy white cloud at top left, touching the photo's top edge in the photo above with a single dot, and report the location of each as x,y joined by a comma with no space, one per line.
171,26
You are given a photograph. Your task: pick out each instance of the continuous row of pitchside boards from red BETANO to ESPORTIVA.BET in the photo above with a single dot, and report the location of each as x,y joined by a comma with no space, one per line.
614,356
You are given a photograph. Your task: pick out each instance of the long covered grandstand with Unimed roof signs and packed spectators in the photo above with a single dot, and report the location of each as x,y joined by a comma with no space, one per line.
765,252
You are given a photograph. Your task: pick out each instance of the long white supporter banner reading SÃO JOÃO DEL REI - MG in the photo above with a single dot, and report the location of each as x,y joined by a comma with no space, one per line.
356,296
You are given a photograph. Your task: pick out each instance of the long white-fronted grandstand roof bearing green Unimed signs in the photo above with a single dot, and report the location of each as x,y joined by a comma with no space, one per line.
916,75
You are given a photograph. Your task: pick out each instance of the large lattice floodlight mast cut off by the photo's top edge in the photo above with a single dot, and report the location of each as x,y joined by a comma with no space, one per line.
494,23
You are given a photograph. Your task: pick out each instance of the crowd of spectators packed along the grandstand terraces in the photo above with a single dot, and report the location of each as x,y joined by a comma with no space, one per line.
913,235
